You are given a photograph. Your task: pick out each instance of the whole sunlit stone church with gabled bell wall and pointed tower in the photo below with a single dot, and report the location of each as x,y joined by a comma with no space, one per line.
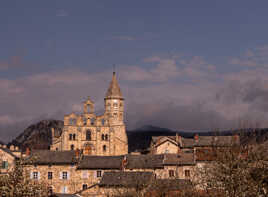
103,135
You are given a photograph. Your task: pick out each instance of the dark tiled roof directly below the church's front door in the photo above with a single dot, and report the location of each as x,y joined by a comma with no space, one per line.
100,162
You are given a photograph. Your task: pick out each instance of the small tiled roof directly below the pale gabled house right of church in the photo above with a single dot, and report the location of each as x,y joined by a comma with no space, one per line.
179,159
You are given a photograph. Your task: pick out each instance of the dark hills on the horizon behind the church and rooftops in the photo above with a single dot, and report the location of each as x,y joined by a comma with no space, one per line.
38,136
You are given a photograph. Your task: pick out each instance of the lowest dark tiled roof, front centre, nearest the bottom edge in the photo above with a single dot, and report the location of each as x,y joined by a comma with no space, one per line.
126,179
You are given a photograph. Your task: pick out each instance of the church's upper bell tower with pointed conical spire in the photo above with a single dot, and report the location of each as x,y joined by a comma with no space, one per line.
114,103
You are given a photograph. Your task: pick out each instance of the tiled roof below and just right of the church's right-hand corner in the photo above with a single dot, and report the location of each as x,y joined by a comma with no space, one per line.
144,161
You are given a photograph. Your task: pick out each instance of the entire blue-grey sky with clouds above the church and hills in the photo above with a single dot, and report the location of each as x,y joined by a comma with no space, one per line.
183,65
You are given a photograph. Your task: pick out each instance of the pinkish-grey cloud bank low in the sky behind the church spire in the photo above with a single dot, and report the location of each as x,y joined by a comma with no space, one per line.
182,92
